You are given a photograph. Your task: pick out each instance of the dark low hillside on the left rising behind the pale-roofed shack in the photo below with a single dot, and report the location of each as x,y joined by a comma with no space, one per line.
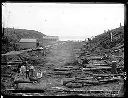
11,36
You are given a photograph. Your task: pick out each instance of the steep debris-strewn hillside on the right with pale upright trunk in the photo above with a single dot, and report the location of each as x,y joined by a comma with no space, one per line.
102,43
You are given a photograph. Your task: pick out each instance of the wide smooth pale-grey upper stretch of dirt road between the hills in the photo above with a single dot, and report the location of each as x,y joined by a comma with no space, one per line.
60,54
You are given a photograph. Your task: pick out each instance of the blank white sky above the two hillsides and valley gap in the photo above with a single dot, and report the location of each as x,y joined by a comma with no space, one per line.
66,20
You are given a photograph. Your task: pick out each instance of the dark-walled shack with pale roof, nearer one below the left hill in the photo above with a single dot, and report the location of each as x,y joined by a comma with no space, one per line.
26,43
